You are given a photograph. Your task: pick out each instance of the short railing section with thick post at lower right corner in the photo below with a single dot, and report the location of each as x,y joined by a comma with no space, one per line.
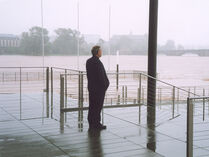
192,112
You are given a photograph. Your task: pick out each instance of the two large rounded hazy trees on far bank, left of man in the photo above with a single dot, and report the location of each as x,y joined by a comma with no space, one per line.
65,43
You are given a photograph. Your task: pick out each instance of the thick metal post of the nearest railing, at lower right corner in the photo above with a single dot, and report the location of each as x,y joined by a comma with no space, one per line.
189,128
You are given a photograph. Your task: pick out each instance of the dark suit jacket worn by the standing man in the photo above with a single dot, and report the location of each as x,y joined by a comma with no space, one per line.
96,74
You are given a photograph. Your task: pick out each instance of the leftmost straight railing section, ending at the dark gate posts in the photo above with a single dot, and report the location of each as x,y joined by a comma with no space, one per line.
23,84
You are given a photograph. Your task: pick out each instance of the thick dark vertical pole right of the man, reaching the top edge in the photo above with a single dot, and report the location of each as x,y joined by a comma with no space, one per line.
152,62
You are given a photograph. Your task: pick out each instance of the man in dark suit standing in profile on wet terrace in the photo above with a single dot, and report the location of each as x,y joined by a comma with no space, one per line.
97,86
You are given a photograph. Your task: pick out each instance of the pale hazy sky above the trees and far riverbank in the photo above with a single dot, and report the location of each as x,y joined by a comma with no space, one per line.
185,21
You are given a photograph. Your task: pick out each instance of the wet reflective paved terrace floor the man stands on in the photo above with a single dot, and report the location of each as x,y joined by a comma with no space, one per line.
33,128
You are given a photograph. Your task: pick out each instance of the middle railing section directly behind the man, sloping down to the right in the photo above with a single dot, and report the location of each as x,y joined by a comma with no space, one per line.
126,90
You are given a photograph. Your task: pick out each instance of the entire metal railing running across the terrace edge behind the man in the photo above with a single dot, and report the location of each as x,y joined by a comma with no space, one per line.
68,90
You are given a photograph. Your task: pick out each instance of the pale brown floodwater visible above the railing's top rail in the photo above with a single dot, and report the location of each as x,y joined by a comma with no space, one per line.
177,70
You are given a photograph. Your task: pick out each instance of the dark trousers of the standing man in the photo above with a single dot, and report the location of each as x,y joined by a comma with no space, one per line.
96,101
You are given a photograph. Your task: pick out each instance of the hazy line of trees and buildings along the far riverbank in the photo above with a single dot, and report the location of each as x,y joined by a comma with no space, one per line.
69,41
